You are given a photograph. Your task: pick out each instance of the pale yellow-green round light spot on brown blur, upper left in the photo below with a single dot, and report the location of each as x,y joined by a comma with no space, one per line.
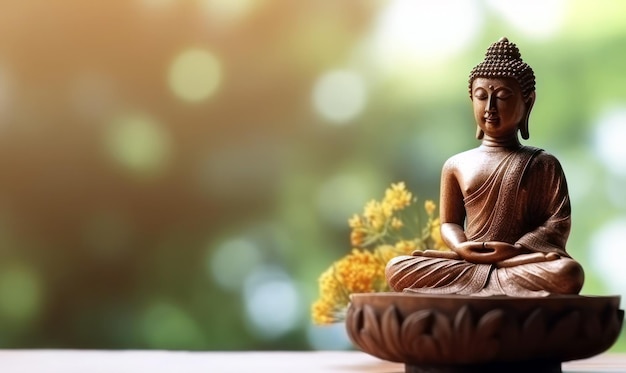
195,75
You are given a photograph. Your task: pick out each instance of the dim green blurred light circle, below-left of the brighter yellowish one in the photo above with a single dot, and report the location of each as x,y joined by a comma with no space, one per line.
139,143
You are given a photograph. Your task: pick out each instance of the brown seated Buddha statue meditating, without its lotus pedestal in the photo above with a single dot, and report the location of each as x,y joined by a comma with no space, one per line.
504,207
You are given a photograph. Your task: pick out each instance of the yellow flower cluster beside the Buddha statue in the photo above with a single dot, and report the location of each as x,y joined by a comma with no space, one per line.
384,230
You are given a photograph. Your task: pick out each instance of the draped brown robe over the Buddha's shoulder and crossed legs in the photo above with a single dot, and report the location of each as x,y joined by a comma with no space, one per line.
525,201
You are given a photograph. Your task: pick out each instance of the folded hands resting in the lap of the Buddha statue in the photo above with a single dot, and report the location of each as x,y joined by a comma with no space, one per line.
489,252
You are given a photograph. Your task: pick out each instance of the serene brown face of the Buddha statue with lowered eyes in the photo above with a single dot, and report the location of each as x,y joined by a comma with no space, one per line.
498,107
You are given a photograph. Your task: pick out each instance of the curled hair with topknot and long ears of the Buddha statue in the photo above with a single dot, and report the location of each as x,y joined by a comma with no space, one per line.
503,61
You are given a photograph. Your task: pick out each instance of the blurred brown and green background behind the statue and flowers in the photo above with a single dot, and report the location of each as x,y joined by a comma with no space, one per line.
177,173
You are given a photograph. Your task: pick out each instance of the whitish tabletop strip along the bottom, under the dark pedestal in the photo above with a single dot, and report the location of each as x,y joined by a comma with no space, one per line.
73,361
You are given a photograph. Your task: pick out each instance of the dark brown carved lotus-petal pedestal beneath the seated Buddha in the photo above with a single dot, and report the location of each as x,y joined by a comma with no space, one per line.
450,333
